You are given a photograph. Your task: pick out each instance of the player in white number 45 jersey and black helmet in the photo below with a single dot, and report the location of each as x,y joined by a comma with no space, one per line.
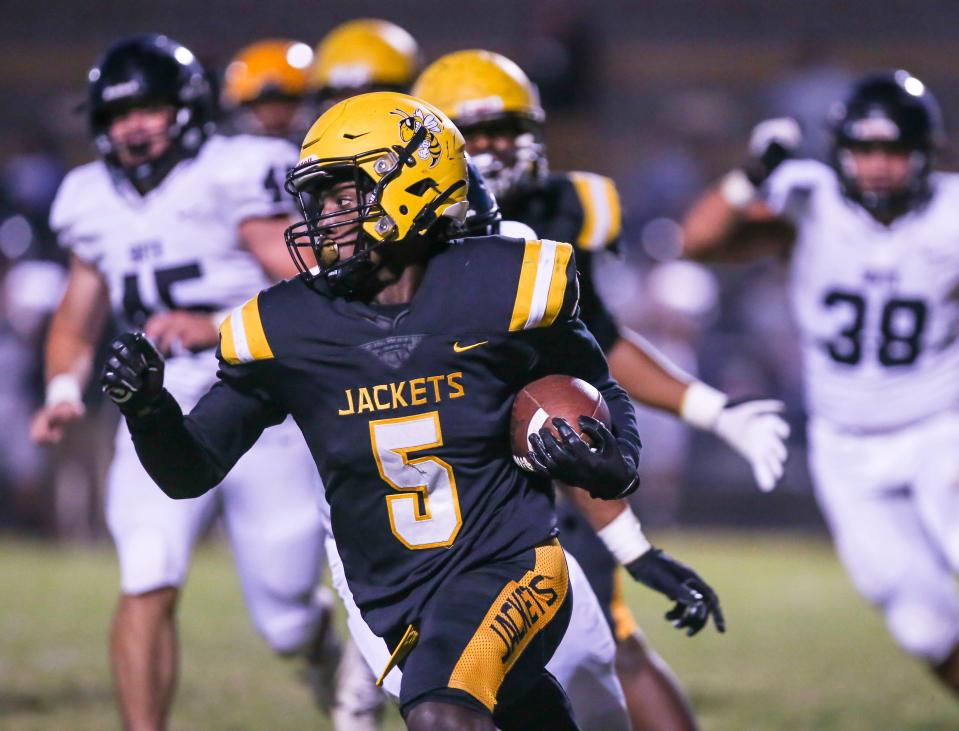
172,225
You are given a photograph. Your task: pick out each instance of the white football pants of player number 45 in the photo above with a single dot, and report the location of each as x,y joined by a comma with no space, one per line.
268,502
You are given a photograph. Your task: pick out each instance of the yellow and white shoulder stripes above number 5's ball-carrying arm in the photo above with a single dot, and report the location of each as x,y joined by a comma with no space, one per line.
542,285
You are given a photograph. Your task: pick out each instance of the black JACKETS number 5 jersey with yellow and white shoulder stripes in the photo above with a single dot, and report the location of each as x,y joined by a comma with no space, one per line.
406,409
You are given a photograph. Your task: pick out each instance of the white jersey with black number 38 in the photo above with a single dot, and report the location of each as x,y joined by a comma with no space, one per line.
876,306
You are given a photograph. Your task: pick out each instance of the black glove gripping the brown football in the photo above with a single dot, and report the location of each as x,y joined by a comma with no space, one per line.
601,470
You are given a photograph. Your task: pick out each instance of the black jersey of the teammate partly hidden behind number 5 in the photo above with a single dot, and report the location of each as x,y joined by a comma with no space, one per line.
584,209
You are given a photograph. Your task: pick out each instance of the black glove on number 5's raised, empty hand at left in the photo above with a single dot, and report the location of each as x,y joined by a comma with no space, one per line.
133,374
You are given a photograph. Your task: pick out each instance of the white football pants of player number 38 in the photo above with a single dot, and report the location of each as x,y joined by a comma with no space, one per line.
892,504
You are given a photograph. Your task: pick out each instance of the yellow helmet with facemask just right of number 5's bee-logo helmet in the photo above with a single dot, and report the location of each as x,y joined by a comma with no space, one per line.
486,94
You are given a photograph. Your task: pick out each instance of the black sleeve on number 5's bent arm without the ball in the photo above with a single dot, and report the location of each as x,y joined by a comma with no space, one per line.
189,455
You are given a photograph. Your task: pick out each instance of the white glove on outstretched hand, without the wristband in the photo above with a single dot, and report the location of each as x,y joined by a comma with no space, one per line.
757,431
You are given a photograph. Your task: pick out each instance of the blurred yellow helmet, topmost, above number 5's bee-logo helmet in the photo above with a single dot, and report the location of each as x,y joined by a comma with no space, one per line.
364,55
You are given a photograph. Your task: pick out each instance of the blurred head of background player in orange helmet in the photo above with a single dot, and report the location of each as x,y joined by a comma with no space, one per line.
265,89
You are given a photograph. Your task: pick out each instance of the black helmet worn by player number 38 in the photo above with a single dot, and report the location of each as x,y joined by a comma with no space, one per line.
892,108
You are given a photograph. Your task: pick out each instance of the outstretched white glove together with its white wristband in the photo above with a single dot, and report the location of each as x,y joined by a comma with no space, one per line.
754,429
